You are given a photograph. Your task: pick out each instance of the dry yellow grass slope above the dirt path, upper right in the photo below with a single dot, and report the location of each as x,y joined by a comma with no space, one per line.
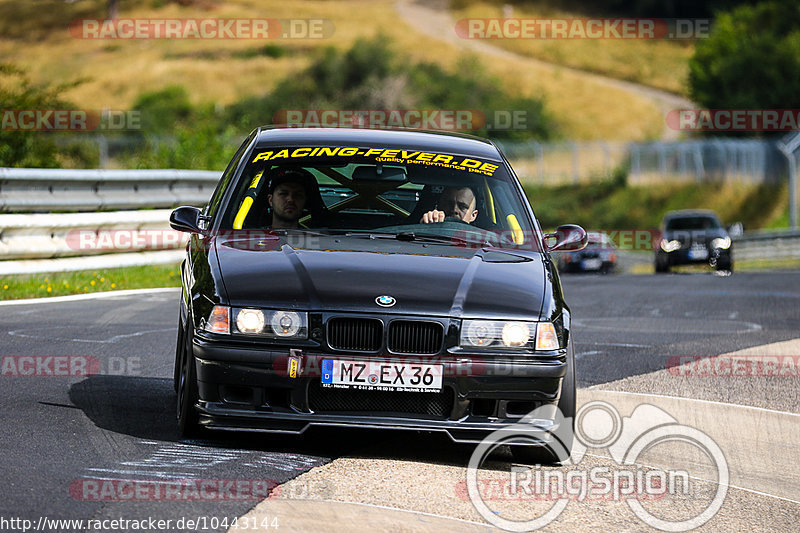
657,63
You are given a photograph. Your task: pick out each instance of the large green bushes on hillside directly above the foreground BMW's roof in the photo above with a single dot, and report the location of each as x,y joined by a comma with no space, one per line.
370,76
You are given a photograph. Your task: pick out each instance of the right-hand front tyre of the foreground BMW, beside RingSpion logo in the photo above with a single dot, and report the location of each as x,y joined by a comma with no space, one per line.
565,435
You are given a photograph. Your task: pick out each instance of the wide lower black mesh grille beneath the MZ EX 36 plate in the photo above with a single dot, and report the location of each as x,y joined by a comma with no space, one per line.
434,404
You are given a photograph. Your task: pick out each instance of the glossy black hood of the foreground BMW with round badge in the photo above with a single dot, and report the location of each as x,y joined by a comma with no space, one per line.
348,274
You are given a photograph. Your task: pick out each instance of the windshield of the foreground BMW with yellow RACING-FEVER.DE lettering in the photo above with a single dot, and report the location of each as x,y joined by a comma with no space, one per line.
380,192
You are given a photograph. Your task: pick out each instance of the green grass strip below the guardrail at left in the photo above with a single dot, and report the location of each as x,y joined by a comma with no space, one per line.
86,281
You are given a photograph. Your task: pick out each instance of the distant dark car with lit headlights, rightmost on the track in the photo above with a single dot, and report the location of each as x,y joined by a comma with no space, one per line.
693,237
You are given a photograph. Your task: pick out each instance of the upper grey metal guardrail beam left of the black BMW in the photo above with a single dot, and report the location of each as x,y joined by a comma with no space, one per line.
40,190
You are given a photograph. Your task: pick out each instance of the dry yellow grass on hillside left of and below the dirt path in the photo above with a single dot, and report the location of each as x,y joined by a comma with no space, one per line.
117,71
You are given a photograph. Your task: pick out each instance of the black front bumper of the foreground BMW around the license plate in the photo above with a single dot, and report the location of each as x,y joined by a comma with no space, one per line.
249,388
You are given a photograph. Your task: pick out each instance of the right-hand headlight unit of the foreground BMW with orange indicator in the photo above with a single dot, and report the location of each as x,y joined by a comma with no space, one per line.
508,334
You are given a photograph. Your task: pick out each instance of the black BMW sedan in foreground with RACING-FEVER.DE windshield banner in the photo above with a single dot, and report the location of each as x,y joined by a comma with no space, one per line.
372,278
